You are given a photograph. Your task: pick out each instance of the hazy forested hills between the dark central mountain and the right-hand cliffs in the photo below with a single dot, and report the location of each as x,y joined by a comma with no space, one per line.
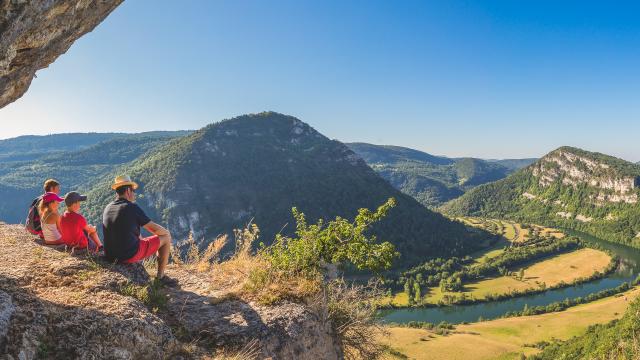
430,179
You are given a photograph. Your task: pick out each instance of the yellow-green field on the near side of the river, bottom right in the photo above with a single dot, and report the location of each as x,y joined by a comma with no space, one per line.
507,338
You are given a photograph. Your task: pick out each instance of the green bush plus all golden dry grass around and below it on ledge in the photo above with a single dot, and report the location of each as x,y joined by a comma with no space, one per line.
297,268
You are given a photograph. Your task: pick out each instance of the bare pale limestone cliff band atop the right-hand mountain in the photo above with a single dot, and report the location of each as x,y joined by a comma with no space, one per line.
574,170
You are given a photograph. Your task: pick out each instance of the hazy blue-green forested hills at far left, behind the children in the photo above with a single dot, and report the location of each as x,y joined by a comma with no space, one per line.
76,160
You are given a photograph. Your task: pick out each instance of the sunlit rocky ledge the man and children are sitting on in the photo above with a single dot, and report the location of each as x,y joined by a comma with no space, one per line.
58,305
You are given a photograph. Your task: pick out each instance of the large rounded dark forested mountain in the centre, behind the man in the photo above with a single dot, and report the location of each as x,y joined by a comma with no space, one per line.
256,168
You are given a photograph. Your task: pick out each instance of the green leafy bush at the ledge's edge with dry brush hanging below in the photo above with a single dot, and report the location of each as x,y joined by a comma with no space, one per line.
306,259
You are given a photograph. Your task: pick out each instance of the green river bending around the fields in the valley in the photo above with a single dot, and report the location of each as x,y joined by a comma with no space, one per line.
627,271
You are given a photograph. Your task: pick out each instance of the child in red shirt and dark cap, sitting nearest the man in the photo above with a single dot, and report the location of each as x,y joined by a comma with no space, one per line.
74,226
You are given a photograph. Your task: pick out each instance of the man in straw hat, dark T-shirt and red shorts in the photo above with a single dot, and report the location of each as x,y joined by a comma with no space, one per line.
121,222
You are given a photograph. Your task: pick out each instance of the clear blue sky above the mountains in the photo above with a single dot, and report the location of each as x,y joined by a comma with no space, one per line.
459,78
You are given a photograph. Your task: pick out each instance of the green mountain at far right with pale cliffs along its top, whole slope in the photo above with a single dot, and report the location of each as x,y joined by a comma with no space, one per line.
569,187
